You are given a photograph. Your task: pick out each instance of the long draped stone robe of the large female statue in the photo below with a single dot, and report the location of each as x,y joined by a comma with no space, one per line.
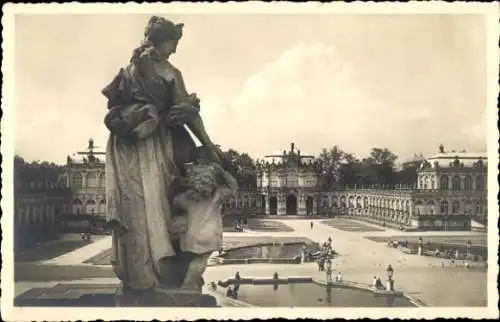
145,155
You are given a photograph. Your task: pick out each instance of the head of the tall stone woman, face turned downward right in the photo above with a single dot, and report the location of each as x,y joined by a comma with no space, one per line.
163,34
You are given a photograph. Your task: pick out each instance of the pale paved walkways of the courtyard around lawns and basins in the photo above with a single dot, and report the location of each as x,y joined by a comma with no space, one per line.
431,280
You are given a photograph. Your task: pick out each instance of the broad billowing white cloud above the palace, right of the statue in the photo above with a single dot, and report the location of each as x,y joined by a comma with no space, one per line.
311,96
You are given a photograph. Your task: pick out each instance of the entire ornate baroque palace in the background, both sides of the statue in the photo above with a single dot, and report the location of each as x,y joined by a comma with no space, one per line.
450,191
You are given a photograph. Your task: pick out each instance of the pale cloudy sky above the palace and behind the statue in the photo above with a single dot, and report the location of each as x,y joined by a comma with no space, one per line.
403,82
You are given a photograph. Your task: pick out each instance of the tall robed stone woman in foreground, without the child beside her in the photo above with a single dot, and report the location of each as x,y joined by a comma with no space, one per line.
149,109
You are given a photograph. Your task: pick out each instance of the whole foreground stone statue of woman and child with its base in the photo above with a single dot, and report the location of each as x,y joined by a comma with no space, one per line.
163,193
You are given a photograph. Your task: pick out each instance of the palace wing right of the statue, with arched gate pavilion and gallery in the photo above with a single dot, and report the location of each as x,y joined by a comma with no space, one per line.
450,191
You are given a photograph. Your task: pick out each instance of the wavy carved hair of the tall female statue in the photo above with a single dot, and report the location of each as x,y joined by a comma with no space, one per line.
157,31
